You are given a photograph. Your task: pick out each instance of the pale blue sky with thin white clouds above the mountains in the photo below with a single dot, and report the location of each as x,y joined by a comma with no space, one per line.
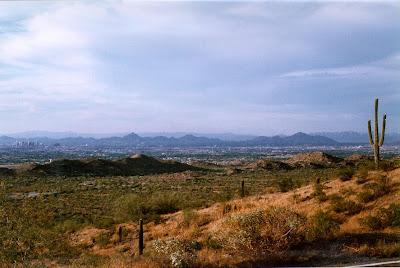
261,68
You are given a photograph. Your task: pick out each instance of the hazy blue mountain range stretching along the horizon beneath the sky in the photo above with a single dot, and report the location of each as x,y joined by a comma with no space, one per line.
133,139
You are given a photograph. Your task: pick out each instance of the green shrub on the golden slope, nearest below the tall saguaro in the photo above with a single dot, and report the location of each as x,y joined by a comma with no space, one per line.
373,190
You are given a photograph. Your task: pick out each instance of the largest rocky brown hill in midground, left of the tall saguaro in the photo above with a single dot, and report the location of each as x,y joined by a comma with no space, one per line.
314,160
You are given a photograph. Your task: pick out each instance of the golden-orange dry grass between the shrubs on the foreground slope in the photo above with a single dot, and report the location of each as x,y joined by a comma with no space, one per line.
202,223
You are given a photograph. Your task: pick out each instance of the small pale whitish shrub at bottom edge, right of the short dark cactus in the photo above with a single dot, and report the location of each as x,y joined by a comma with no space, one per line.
181,252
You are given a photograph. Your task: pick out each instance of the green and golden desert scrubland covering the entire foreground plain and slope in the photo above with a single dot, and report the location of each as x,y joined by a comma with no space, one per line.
200,218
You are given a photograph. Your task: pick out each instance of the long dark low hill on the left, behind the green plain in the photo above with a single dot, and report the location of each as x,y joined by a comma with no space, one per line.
136,165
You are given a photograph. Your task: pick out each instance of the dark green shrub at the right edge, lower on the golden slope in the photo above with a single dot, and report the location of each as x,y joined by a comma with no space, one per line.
385,217
